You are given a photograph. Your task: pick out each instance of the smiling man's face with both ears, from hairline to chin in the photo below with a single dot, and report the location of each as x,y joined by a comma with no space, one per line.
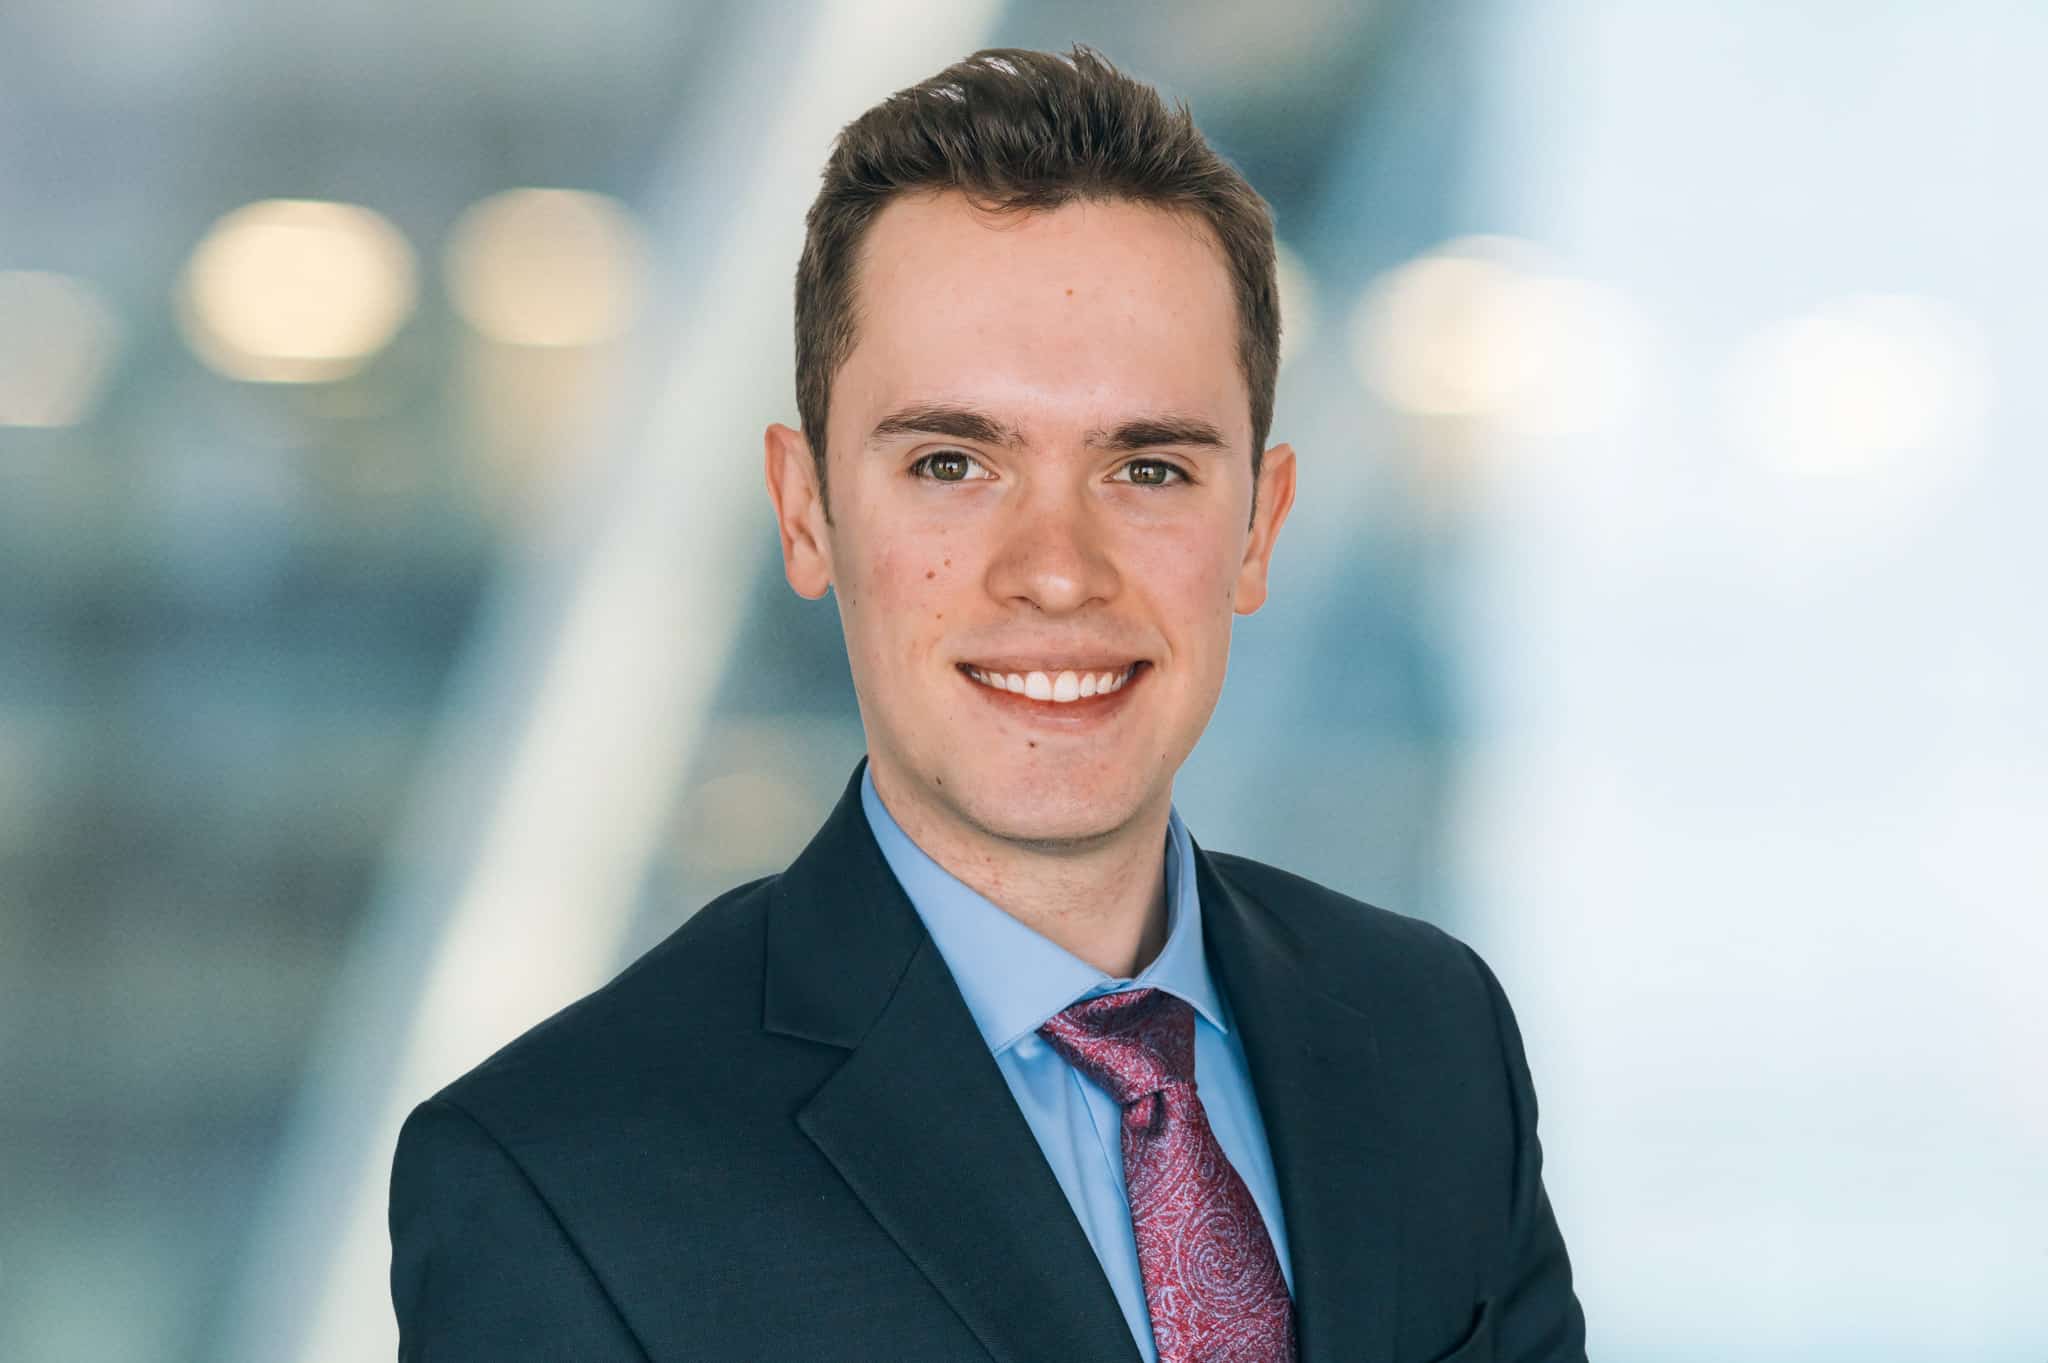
1039,472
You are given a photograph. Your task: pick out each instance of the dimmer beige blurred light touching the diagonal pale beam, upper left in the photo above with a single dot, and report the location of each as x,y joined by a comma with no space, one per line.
546,267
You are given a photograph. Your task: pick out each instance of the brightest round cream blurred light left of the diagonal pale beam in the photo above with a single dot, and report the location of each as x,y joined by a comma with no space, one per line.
296,292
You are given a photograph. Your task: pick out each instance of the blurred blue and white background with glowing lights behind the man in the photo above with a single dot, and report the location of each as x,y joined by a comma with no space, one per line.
394,640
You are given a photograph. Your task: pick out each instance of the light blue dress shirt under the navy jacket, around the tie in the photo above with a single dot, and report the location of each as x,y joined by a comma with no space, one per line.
1015,979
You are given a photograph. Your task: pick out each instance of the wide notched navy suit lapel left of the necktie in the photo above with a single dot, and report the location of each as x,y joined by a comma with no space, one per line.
919,1120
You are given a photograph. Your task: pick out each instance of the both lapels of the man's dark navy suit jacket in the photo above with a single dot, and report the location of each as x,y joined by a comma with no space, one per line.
925,1131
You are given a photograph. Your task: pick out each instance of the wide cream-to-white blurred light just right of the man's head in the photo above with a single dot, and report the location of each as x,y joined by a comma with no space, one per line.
1476,331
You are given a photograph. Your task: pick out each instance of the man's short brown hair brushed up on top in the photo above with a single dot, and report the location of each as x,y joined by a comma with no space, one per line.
1021,132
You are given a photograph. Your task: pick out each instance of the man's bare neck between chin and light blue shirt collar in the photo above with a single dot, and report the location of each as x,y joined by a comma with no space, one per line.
1103,899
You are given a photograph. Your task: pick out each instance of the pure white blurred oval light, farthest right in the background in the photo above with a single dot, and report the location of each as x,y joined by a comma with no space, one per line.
1857,388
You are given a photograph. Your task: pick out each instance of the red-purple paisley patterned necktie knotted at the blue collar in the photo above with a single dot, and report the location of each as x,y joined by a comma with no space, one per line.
1211,1276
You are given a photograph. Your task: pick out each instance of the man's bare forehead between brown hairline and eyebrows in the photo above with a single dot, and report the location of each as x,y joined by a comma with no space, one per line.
1082,314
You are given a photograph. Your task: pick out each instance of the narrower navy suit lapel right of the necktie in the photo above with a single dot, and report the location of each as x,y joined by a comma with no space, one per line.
1316,1071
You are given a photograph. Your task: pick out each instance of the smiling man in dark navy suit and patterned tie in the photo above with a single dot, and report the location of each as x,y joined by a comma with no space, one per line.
1005,1067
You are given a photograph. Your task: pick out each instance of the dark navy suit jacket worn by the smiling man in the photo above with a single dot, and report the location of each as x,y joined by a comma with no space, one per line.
781,1137
